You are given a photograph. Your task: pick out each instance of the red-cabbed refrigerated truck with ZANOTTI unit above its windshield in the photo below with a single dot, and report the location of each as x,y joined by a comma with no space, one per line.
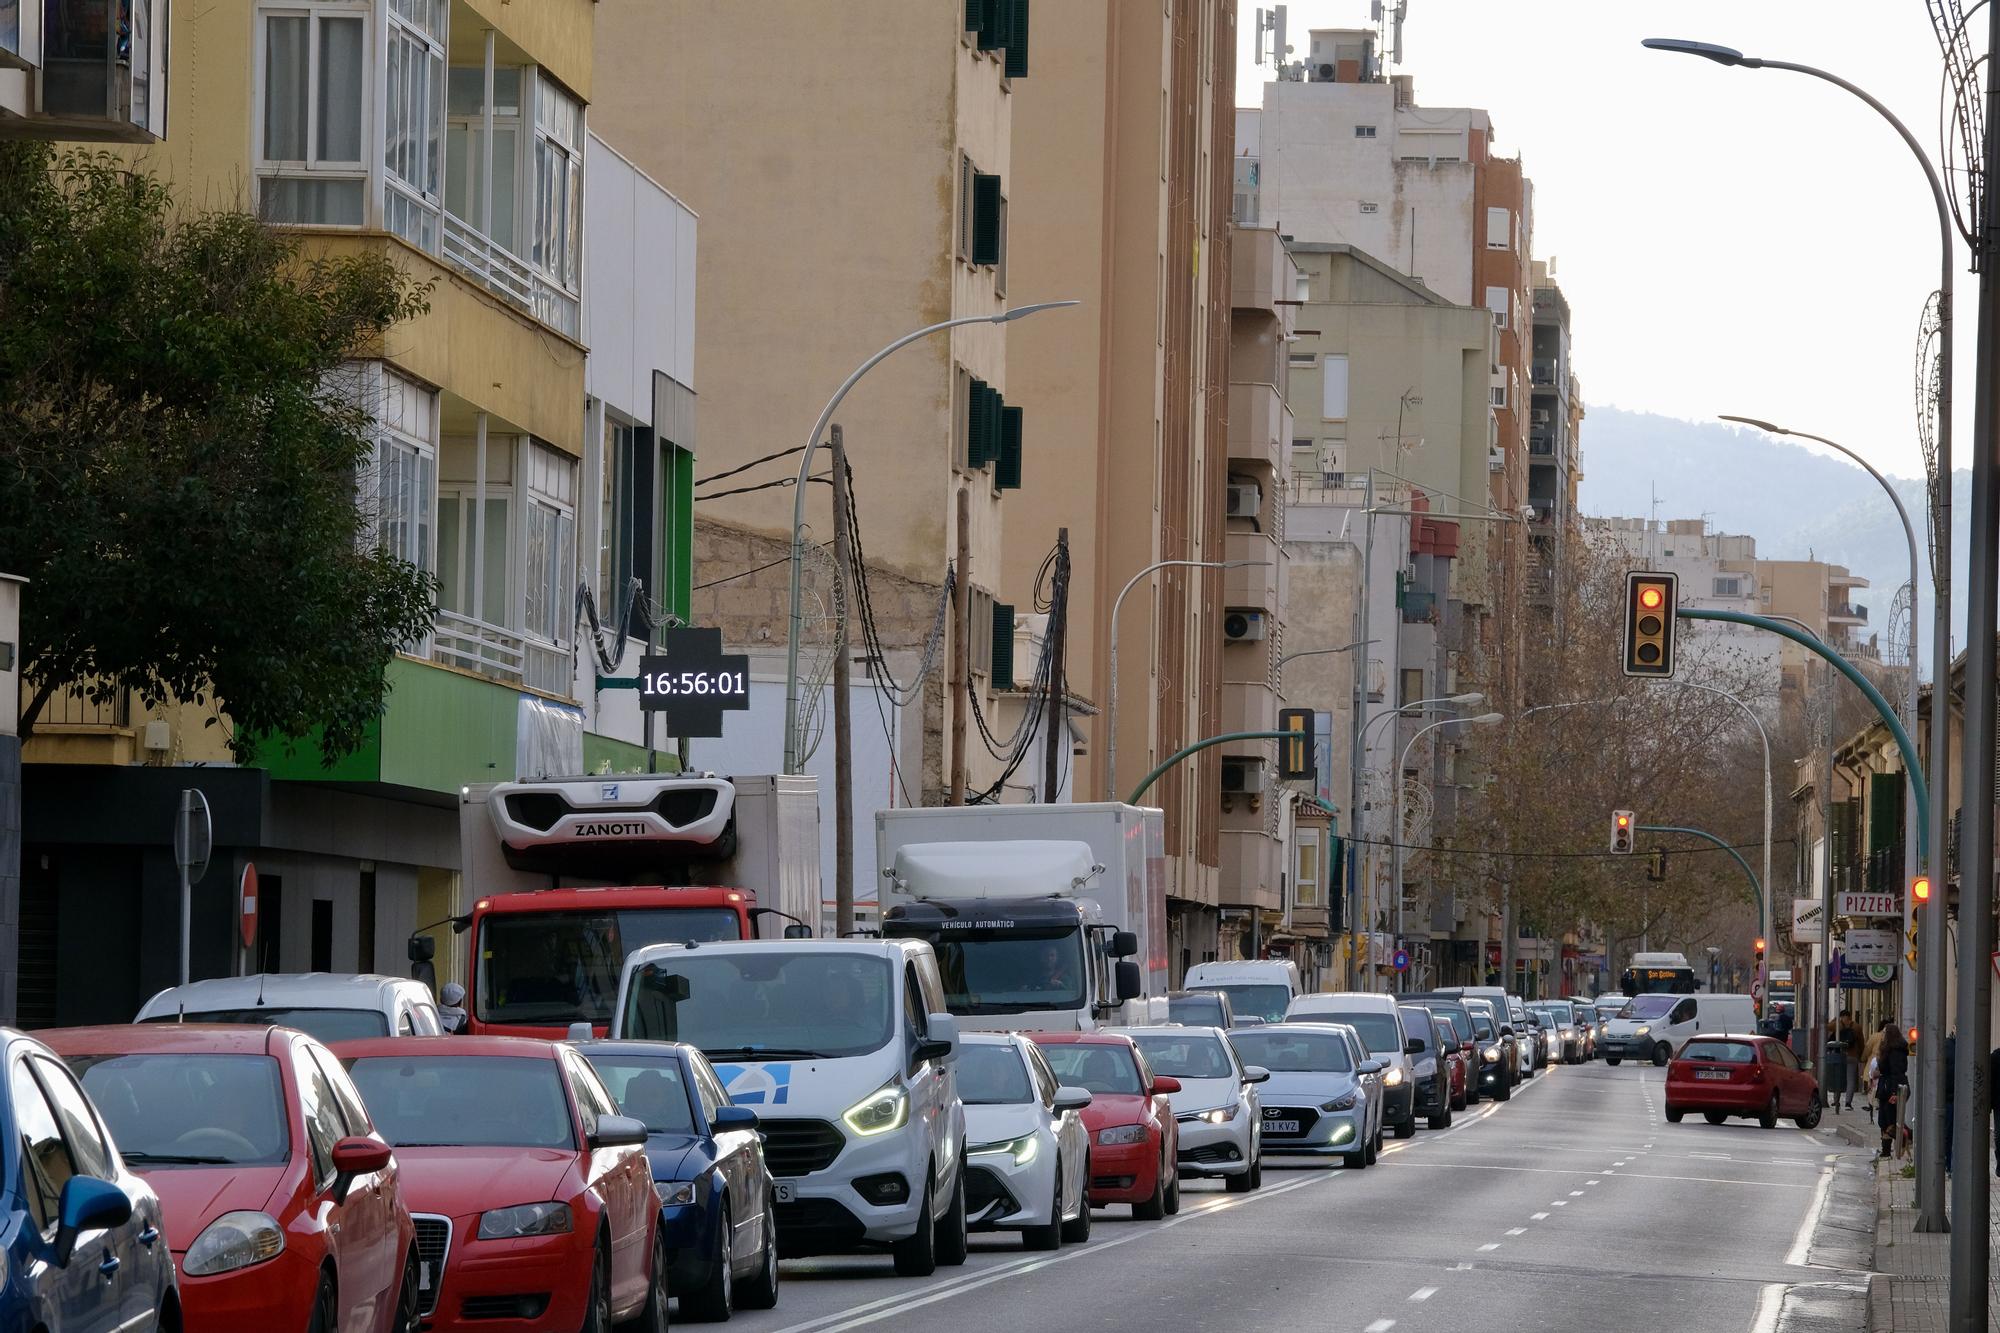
567,878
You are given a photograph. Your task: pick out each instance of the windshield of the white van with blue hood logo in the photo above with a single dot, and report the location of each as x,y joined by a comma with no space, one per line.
765,1004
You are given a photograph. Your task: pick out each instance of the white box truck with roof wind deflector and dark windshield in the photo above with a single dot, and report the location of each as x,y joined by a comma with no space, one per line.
1043,916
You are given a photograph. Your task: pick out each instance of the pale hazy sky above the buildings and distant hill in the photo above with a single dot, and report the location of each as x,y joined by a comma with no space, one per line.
1731,241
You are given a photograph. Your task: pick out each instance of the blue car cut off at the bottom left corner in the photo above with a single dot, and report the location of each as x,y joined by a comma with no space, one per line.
81,1236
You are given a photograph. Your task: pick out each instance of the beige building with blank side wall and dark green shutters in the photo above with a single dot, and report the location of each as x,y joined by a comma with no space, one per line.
841,213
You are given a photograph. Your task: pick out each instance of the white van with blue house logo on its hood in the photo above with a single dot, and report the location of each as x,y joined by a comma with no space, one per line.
845,1052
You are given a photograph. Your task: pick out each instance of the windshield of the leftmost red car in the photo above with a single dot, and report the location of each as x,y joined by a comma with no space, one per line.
191,1110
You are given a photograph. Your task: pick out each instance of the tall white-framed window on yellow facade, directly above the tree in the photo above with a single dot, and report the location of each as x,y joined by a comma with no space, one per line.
315,67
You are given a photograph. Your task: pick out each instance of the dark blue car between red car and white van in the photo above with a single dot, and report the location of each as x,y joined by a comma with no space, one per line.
717,1200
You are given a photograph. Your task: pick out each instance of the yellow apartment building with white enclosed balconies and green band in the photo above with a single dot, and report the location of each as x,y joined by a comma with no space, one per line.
449,137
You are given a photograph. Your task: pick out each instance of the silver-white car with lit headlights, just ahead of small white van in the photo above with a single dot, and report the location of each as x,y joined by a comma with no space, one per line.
1317,1100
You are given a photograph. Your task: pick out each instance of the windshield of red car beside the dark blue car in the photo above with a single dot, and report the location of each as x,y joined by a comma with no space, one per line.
465,1100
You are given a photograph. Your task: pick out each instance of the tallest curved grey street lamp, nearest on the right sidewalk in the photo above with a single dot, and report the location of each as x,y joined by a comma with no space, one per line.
1931,1036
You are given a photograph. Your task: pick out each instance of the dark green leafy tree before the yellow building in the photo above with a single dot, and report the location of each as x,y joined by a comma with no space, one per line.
179,461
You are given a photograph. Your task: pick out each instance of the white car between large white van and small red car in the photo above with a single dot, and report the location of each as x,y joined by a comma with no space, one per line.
1027,1154
